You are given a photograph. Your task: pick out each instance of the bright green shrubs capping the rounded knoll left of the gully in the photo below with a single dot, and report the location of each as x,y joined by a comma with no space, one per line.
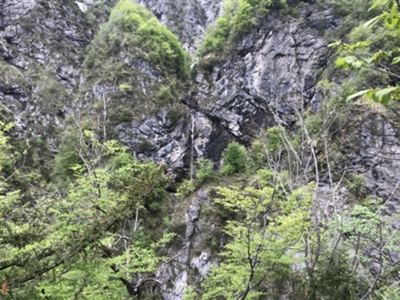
132,26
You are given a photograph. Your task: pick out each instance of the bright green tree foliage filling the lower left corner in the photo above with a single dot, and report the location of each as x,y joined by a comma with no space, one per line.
70,245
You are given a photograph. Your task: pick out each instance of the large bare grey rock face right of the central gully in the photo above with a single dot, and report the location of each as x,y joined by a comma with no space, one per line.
271,78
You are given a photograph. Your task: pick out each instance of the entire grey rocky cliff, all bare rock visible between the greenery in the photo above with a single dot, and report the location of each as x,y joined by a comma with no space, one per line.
270,78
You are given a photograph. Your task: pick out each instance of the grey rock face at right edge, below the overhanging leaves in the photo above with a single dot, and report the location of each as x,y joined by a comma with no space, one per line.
374,152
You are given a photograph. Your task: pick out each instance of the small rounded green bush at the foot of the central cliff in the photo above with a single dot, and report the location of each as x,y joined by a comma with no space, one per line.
235,159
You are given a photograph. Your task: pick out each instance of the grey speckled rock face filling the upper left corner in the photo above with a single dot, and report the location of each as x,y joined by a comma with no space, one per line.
41,46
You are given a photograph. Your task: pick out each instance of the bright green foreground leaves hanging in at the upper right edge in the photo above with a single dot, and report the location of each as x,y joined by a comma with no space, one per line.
384,60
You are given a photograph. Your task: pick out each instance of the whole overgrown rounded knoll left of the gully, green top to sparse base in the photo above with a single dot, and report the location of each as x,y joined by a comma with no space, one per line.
140,61
